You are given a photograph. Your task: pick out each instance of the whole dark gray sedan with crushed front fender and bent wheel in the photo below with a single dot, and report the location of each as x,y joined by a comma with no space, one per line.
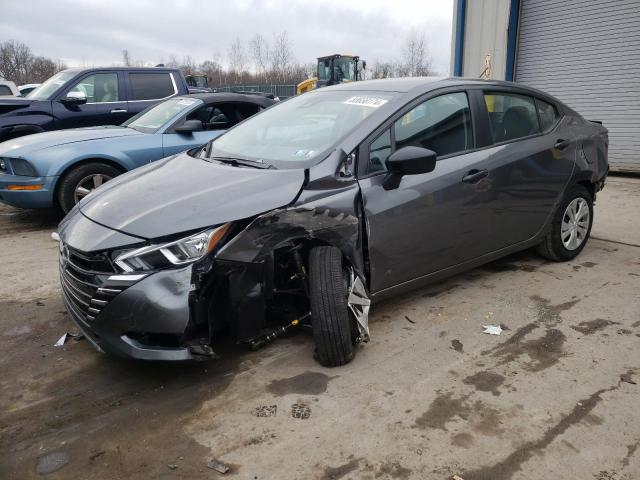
306,213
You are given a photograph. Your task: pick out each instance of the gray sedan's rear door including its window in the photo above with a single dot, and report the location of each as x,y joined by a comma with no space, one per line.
531,153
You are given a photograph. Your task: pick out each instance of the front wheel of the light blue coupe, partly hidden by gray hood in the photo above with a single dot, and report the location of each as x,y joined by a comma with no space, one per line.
82,180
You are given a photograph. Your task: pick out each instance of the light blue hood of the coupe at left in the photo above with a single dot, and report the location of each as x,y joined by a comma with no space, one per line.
37,141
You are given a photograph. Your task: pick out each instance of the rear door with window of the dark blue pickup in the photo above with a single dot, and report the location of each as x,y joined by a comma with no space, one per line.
147,88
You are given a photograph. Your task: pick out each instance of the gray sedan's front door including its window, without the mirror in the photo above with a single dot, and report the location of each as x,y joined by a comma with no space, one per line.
434,220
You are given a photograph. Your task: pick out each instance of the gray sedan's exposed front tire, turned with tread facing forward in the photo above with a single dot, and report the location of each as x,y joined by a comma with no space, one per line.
332,332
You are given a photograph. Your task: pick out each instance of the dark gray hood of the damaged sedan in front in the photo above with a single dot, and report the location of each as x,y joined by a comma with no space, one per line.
183,193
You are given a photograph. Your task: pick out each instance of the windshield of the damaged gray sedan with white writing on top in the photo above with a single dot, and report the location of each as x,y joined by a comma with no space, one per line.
300,129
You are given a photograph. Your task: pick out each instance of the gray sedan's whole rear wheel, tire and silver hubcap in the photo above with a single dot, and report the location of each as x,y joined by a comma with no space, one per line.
570,227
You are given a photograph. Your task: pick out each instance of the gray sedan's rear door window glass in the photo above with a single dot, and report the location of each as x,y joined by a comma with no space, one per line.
511,116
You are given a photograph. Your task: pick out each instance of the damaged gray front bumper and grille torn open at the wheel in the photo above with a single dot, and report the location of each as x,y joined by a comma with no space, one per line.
135,316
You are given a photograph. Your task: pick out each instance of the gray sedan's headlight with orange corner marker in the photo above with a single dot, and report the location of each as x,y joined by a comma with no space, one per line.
180,252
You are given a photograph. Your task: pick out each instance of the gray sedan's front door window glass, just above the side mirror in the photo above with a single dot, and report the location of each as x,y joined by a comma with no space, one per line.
441,124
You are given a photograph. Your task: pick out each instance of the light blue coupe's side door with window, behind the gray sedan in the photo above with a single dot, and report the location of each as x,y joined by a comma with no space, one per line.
215,118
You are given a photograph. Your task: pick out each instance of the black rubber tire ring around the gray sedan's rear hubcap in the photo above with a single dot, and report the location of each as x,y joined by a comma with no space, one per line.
552,247
